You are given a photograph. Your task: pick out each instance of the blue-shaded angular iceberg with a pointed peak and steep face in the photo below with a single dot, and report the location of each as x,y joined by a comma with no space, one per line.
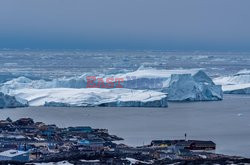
197,87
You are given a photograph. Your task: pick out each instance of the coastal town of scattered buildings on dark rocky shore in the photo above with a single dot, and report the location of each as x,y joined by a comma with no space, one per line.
25,141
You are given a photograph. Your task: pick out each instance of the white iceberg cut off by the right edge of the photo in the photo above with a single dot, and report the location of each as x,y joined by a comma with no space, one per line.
238,83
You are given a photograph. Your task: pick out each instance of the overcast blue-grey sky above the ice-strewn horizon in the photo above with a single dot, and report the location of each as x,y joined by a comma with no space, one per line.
222,25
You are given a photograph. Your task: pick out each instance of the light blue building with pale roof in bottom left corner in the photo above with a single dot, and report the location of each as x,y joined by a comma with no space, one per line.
14,155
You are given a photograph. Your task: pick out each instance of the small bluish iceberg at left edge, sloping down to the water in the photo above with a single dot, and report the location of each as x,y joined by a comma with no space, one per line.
7,101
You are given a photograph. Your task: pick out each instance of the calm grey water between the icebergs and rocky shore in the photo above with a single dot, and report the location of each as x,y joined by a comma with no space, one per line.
225,122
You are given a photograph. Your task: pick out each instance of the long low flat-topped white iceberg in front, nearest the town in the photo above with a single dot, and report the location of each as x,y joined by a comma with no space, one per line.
92,97
